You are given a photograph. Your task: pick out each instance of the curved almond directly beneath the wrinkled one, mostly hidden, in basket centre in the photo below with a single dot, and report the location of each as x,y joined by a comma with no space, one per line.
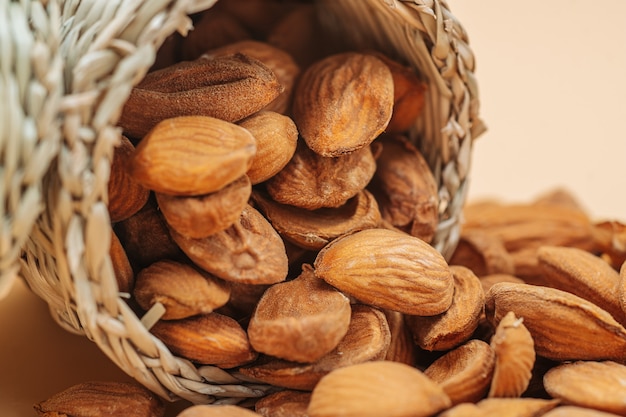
314,229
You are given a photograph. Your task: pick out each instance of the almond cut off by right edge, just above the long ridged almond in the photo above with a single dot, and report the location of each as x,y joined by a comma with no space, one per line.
583,274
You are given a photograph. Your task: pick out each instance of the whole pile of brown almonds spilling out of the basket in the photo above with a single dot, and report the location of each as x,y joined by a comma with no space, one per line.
268,206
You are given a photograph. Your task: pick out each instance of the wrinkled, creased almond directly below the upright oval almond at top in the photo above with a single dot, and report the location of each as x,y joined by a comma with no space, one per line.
311,181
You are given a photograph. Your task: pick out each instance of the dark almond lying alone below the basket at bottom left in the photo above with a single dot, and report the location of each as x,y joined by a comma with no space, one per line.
103,399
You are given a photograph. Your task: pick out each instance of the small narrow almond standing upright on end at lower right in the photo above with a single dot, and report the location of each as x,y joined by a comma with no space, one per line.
515,357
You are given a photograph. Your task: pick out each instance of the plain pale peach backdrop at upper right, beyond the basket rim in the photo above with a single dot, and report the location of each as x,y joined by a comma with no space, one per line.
553,90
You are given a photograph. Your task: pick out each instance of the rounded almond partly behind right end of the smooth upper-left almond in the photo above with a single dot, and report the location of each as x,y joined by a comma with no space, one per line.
276,138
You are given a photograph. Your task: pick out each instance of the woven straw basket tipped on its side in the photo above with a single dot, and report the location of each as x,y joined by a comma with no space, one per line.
66,70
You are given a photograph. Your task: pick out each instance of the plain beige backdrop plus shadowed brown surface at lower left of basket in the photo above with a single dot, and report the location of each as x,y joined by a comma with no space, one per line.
552,88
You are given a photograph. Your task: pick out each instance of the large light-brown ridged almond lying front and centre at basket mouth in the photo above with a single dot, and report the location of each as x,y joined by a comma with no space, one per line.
388,269
